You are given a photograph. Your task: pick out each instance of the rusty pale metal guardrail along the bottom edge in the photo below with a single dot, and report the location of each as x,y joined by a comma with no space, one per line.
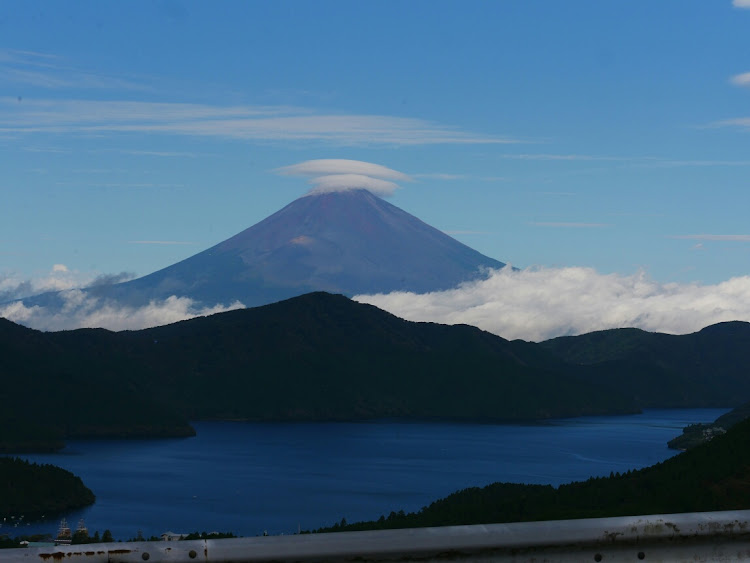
698,536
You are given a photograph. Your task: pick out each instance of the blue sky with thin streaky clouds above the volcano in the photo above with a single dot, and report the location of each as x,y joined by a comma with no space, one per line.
601,135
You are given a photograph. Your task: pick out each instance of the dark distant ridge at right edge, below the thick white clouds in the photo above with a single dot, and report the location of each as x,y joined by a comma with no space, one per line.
706,368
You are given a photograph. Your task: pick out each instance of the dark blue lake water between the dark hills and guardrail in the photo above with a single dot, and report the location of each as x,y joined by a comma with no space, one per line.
247,478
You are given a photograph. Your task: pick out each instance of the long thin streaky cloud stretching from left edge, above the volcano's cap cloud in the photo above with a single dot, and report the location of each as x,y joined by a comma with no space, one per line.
251,123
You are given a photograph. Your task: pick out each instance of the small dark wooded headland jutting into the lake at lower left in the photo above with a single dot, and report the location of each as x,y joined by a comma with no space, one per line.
31,490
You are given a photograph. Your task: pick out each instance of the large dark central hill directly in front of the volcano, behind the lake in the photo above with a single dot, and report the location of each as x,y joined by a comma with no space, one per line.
323,356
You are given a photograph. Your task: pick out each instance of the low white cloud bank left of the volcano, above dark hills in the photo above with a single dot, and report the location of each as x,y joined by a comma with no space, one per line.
83,311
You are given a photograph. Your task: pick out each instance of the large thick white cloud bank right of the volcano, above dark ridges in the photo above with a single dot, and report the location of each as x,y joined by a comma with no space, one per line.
544,303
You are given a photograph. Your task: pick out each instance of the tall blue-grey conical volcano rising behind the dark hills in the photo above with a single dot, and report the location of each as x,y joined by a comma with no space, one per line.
349,242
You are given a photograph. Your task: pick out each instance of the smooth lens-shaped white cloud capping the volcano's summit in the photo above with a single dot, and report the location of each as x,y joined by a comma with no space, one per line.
338,175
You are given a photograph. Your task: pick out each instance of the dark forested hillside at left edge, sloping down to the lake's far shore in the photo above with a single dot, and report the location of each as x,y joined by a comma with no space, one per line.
55,385
